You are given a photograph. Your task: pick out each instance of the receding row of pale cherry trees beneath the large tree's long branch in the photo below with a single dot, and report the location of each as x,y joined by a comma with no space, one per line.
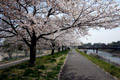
63,39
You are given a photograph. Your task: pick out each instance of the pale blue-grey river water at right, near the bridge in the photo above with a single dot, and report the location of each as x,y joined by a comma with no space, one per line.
106,55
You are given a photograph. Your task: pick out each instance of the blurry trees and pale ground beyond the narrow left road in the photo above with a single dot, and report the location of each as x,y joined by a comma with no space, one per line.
11,51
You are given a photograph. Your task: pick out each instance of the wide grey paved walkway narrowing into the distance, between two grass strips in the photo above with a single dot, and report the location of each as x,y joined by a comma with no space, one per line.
78,67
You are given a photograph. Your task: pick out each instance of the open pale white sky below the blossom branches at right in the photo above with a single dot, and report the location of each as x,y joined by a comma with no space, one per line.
102,36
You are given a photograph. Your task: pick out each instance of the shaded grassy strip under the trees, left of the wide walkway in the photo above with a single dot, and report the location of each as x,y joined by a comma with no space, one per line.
46,68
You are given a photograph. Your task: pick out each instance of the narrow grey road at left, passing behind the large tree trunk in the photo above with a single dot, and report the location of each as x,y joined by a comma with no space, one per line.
2,66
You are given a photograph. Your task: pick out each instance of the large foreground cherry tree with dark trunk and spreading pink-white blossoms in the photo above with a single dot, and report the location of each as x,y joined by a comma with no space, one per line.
31,20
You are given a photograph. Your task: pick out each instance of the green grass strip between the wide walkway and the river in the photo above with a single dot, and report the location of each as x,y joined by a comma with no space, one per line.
113,70
